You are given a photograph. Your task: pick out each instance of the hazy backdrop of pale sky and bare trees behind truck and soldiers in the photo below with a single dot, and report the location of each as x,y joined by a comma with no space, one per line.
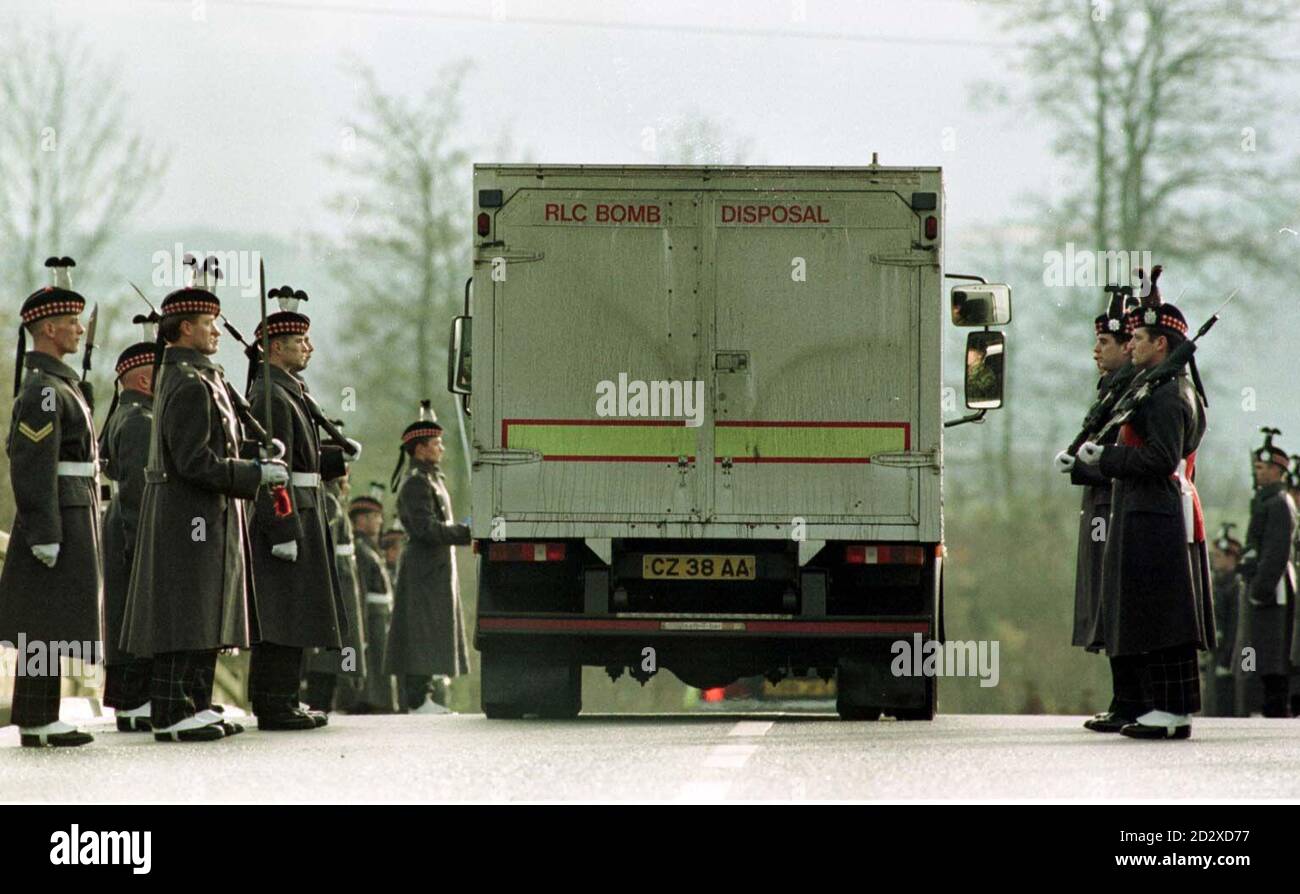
336,140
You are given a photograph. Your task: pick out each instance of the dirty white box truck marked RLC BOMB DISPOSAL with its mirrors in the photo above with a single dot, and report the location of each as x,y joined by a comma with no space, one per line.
707,426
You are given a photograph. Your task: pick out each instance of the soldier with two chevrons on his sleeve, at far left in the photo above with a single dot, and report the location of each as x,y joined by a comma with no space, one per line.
51,585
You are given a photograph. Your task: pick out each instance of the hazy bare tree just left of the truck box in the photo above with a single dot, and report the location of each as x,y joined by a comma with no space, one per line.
405,249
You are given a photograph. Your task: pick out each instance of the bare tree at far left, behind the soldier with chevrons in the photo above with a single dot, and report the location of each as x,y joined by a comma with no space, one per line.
71,168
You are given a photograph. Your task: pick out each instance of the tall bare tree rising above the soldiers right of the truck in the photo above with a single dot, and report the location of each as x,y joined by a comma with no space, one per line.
1160,106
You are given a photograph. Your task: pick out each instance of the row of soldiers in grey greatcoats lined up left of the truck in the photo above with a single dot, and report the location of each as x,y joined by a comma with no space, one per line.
226,530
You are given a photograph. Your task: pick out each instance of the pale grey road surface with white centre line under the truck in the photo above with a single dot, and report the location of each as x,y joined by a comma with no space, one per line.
665,758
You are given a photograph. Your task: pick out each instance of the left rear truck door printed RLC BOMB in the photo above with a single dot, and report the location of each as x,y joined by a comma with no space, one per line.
597,285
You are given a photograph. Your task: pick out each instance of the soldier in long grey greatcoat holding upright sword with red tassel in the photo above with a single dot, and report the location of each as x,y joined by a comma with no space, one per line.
190,580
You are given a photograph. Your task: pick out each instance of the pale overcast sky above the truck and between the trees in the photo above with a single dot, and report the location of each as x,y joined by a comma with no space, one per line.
249,97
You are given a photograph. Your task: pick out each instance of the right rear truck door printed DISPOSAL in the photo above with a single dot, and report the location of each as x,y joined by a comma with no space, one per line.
816,355
